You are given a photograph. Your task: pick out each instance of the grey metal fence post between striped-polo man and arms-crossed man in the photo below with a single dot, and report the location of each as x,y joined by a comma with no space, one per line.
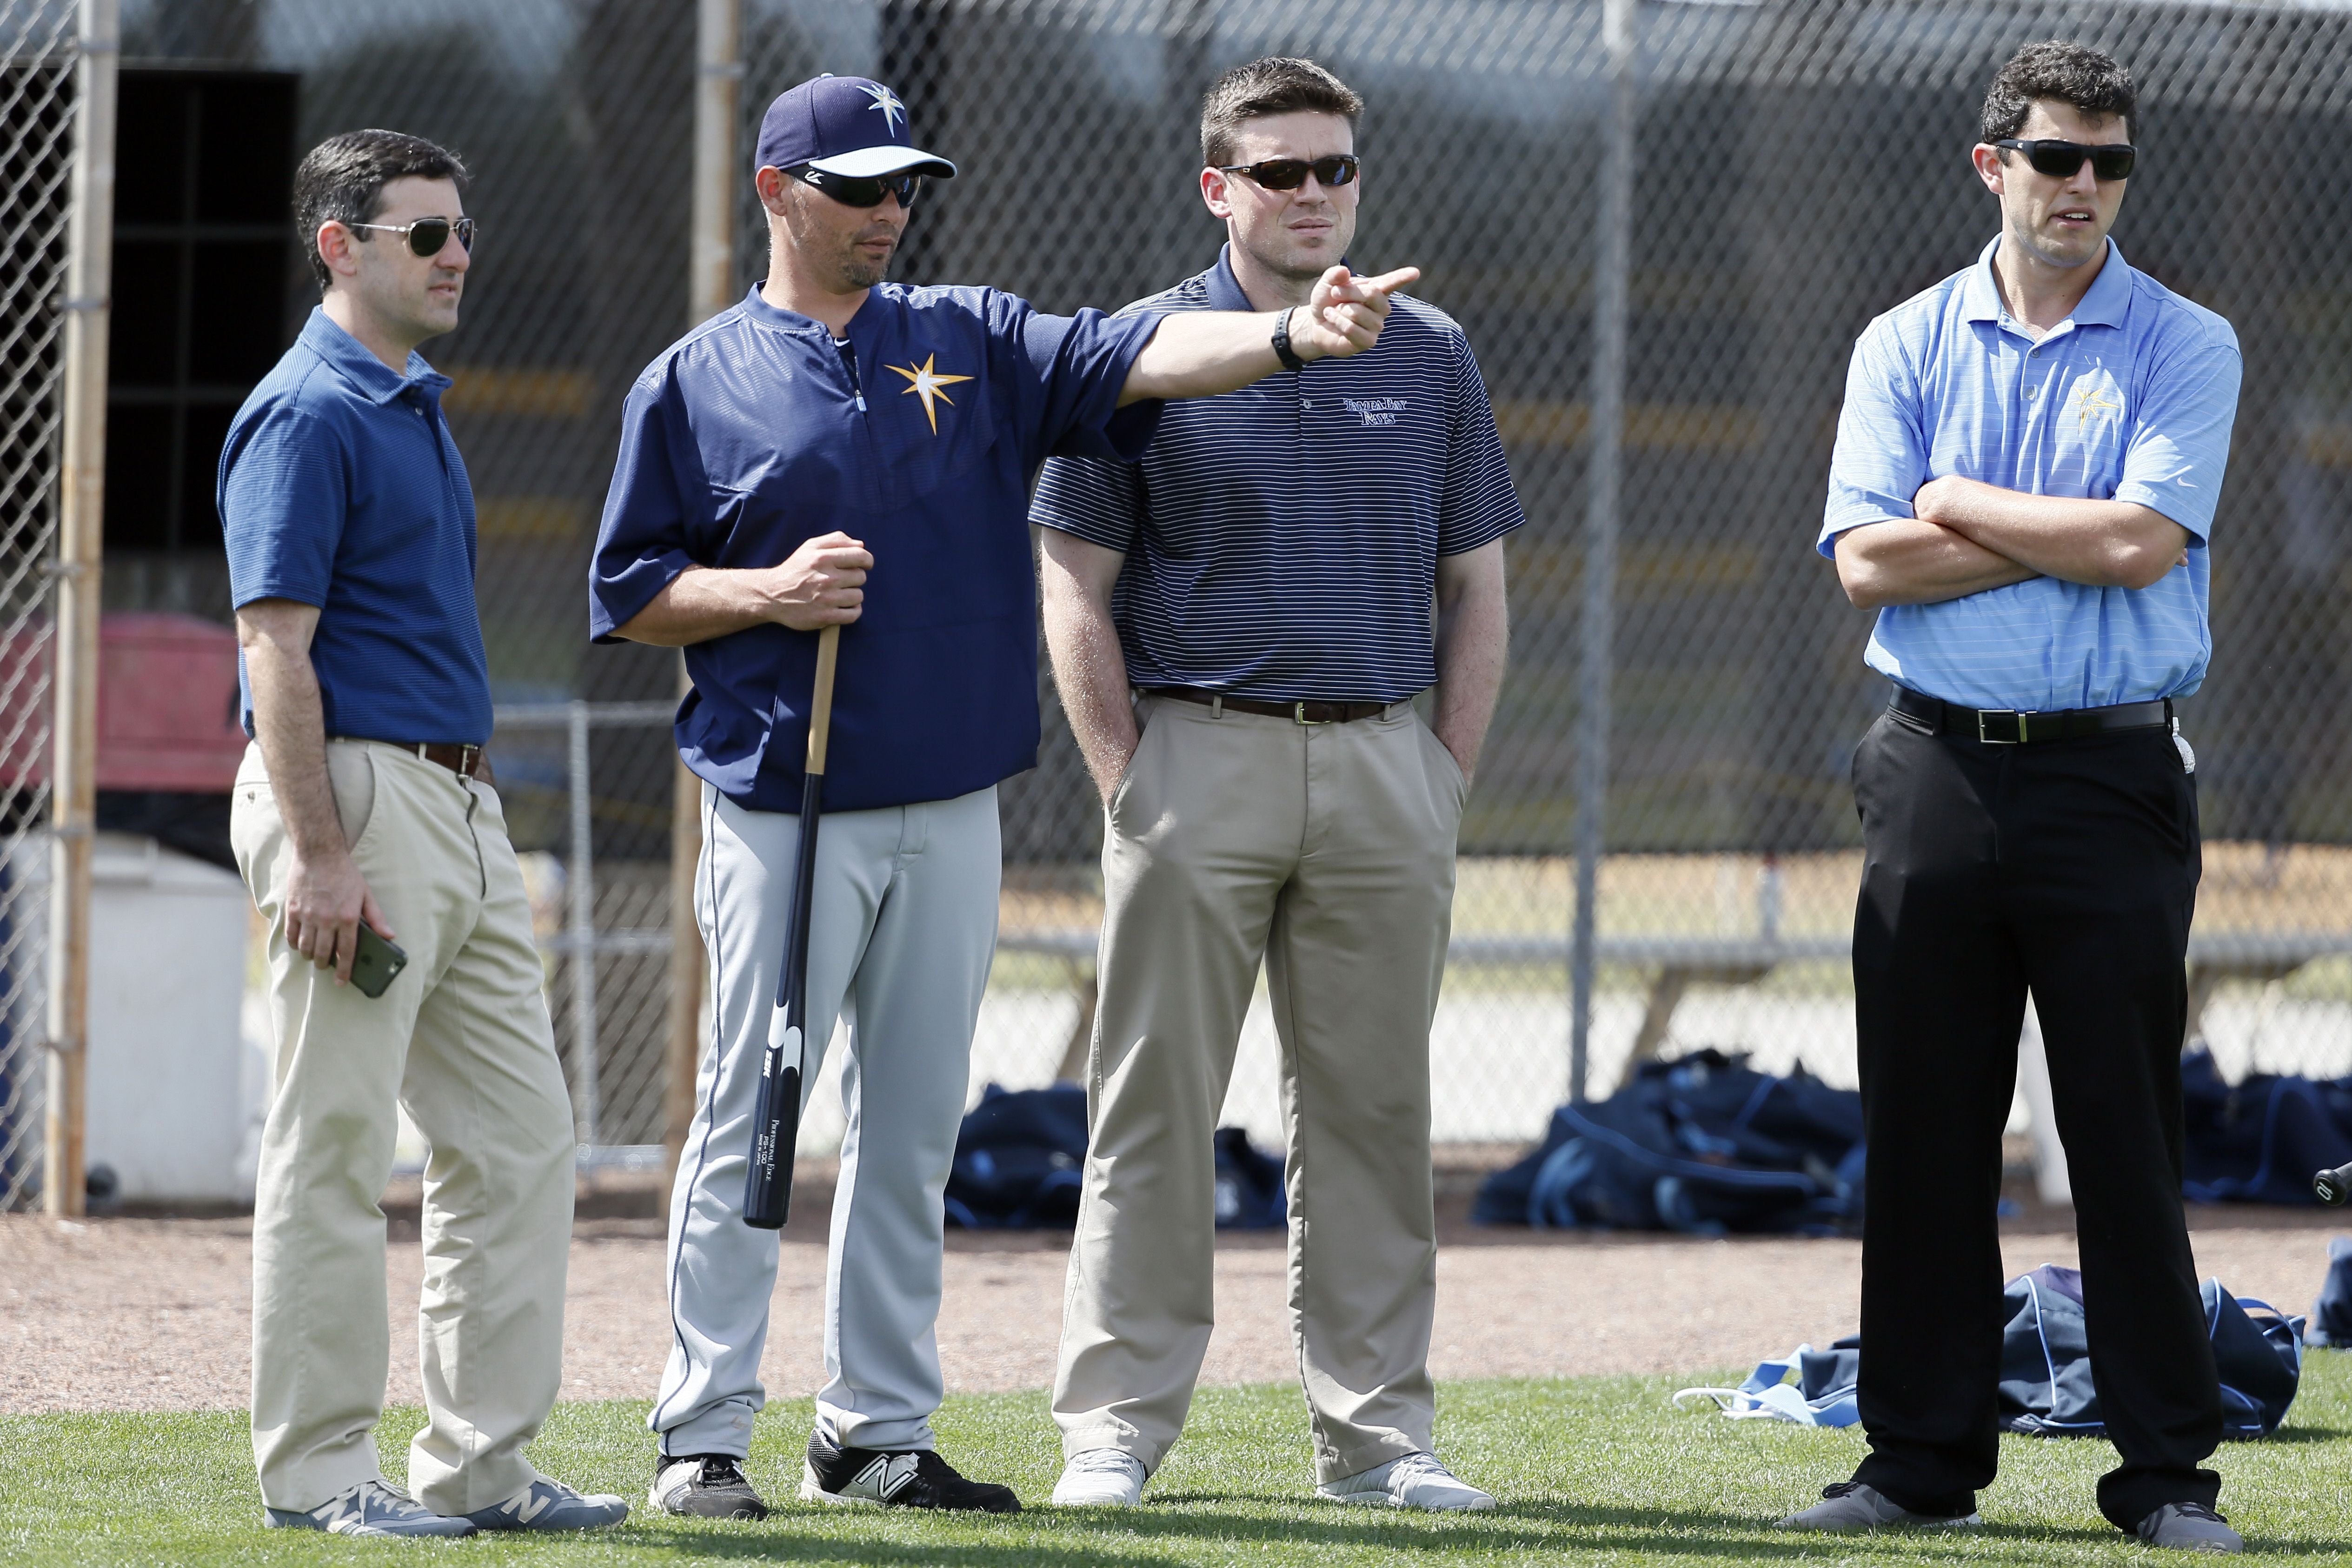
1605,436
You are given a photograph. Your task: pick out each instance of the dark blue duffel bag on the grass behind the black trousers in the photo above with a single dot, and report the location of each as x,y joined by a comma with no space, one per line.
2047,1360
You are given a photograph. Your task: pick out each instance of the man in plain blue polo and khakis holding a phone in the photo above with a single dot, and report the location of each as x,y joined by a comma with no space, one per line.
366,800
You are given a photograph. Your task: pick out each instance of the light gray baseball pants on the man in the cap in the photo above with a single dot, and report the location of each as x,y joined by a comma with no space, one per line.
900,946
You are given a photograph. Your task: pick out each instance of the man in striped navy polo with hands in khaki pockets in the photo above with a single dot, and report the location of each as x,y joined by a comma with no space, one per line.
1238,624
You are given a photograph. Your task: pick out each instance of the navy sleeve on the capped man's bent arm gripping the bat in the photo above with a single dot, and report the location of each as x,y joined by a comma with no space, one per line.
657,497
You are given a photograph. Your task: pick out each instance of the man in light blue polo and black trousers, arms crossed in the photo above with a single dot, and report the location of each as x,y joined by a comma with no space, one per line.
2024,490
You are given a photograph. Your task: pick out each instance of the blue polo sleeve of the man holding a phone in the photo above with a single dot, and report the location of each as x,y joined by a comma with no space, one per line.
286,492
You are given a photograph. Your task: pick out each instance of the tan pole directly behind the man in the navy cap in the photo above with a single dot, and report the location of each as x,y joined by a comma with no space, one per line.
711,276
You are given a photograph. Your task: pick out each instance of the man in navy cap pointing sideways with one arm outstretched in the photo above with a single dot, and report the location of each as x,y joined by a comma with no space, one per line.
848,453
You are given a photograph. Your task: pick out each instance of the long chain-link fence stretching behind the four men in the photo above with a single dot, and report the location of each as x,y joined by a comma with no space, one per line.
1798,166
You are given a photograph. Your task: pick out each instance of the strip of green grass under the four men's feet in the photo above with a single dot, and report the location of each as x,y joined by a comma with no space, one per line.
1593,1470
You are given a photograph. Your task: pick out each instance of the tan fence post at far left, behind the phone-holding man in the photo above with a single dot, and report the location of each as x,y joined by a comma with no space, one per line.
74,791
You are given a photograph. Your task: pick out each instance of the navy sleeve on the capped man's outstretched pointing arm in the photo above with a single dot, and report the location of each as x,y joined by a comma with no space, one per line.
1074,370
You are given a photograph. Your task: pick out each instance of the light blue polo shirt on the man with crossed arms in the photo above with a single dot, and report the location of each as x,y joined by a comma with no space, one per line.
2125,401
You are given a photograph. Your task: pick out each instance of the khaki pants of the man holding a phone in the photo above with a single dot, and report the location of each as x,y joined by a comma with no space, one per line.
460,1040
